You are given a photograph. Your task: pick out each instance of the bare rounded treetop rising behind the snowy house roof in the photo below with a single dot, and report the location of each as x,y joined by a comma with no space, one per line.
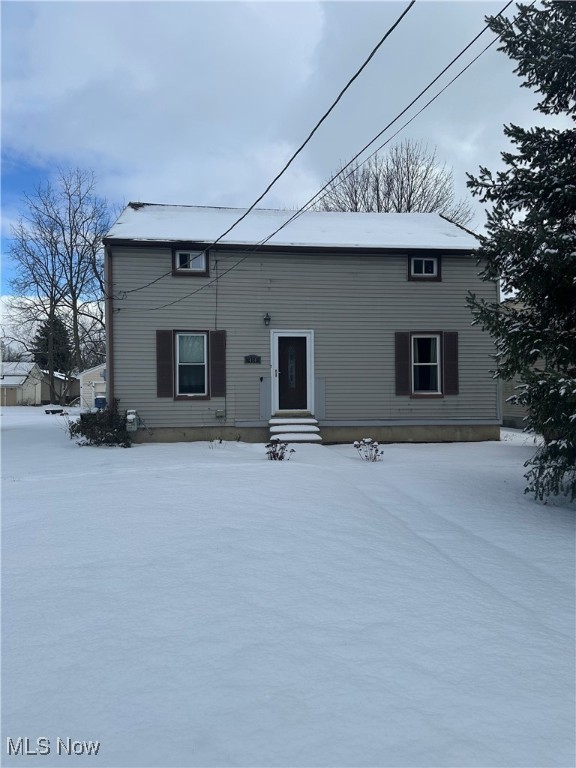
407,179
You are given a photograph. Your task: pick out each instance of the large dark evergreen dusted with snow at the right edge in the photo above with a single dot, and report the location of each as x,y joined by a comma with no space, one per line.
530,243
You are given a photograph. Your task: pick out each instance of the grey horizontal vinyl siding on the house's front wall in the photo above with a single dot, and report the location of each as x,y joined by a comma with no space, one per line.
353,303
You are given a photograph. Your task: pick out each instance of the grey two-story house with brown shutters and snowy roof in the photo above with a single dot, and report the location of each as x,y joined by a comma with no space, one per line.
345,325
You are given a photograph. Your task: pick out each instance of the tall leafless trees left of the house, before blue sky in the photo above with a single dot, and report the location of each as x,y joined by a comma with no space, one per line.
57,248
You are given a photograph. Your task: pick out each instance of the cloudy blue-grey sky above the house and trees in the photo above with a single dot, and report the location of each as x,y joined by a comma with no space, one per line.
201,103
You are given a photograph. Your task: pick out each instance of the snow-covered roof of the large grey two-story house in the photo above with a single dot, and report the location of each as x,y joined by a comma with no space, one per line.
149,222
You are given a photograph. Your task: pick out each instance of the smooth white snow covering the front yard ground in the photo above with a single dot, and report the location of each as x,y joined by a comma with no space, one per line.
193,606
